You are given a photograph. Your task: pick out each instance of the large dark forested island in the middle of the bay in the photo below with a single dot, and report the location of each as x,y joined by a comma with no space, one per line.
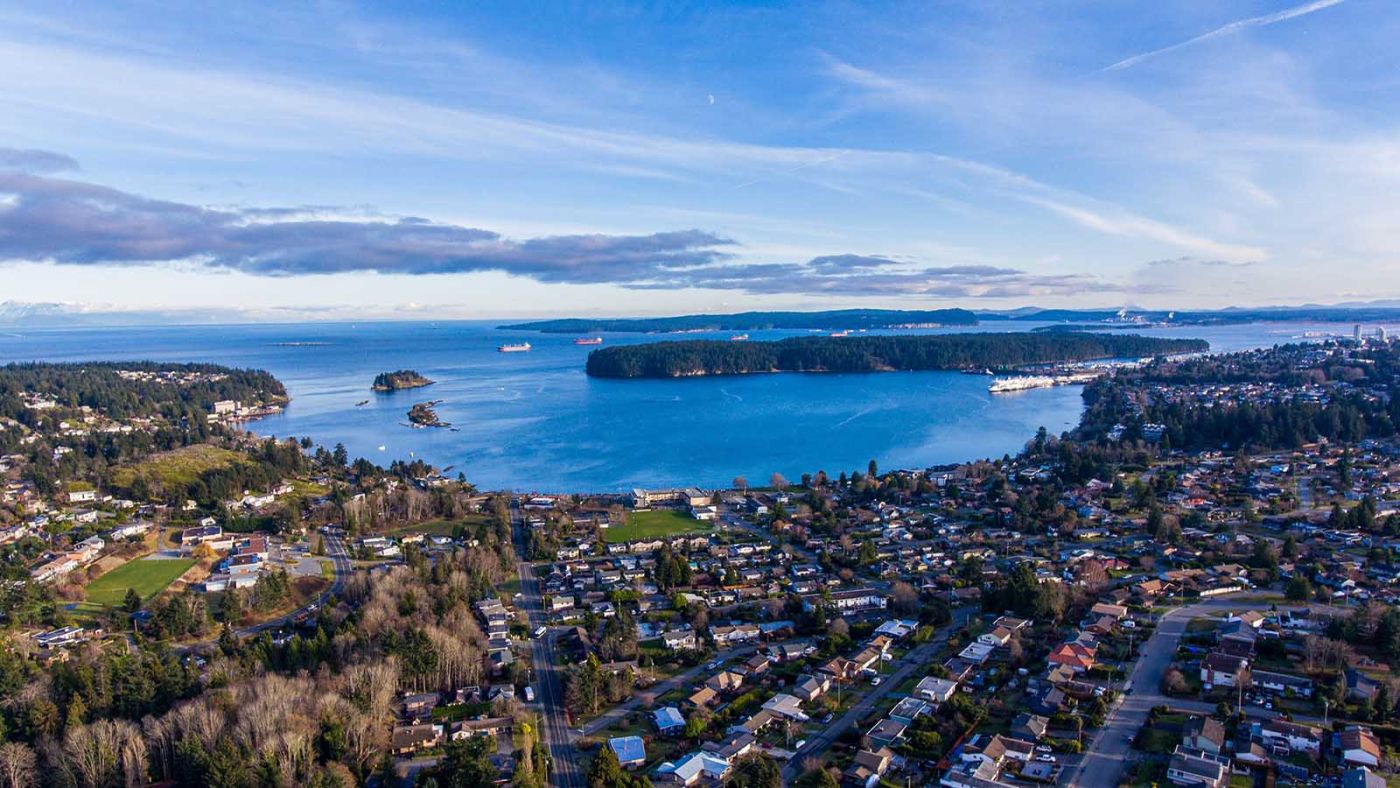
874,353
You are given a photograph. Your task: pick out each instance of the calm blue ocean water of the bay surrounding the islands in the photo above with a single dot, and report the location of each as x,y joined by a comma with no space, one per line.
534,422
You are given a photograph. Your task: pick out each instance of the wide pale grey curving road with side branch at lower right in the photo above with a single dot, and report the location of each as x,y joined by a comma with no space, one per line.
1108,754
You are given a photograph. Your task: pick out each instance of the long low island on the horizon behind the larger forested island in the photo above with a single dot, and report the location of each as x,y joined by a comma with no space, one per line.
838,320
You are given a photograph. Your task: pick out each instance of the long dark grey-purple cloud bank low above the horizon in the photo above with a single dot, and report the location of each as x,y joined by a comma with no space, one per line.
65,222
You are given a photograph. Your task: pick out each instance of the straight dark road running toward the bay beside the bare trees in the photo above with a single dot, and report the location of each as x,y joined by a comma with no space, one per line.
549,681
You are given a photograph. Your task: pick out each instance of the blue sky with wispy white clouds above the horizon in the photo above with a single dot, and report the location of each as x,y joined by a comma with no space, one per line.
332,160
